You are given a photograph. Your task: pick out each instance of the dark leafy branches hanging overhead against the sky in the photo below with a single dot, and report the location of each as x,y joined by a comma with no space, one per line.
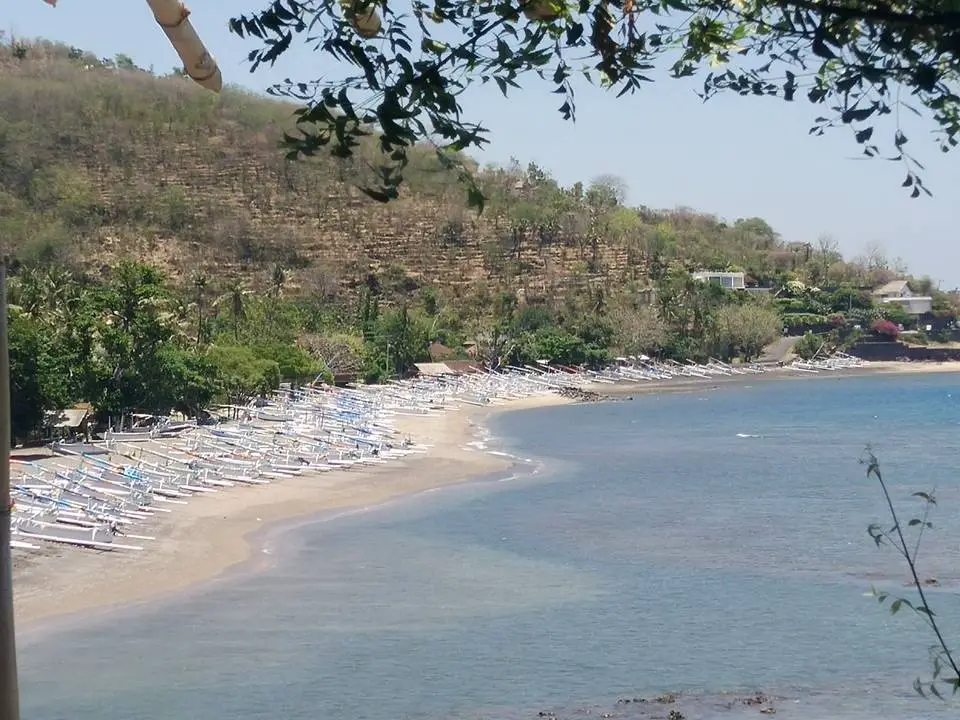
402,78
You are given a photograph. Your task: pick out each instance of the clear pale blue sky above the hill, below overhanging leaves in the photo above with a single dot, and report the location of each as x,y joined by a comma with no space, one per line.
733,157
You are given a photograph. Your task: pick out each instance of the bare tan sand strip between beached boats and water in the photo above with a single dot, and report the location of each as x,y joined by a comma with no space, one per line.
202,539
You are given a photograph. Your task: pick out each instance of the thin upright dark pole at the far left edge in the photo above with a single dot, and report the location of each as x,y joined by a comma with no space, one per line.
9,692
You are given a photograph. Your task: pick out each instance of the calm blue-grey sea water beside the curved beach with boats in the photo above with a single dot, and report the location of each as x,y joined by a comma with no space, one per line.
707,542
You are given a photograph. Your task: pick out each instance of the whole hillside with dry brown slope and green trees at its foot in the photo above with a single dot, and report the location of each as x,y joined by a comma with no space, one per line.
167,256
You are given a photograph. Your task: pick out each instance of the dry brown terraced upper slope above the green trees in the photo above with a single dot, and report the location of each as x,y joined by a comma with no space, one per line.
99,160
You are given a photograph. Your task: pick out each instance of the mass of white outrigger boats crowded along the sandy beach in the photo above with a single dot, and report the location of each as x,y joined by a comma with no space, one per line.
107,495
